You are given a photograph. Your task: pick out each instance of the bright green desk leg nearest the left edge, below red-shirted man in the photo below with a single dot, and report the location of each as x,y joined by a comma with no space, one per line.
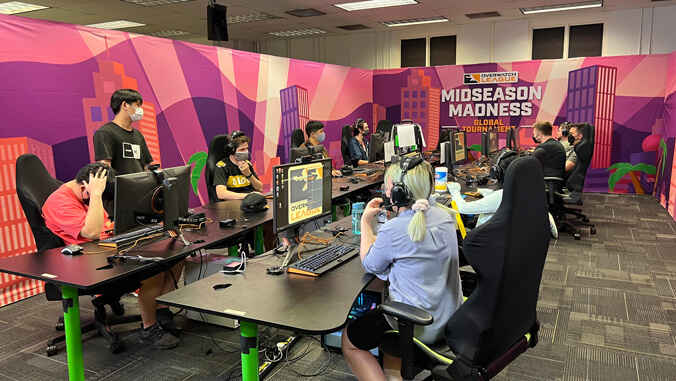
71,320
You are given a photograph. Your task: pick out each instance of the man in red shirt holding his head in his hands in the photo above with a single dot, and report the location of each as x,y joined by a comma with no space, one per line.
75,213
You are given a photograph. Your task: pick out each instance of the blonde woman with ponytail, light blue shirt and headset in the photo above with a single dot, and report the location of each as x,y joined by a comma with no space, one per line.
417,251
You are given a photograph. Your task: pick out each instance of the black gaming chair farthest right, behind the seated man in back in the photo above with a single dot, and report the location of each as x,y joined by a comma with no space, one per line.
572,193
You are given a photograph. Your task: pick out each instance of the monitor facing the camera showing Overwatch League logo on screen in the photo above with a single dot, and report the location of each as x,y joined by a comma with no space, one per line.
302,192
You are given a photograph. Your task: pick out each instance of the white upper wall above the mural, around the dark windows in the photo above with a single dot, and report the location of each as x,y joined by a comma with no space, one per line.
626,32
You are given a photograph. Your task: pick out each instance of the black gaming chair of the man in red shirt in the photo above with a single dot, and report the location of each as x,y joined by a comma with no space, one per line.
33,186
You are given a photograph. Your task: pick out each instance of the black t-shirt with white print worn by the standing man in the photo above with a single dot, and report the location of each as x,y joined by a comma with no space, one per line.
126,150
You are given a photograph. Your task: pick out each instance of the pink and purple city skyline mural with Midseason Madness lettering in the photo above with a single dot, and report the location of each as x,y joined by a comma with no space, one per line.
56,91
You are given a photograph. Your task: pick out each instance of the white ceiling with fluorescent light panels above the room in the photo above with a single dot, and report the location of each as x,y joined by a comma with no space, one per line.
190,16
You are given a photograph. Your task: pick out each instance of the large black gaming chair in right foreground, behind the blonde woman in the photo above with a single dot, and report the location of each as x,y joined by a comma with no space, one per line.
498,321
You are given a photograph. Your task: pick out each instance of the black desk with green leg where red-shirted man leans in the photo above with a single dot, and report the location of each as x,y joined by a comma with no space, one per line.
91,271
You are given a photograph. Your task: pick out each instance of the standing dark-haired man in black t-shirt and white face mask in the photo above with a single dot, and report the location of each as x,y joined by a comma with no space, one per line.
117,143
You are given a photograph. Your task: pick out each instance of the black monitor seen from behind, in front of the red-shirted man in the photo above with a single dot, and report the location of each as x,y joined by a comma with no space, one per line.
140,198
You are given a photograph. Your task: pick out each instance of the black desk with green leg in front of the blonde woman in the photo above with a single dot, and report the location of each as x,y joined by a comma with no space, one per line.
313,305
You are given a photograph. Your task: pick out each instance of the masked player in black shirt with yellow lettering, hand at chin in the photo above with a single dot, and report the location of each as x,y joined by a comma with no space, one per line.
235,177
